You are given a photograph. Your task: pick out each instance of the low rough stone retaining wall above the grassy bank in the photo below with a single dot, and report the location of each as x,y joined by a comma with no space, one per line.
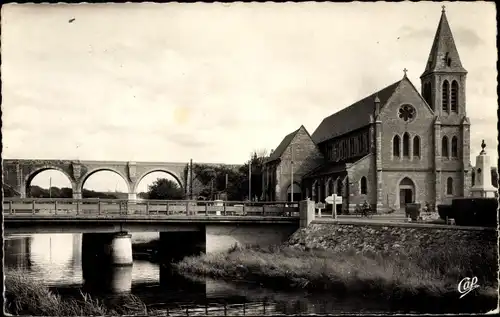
383,237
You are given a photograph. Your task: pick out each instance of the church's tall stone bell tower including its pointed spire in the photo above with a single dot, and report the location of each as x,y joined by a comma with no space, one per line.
443,88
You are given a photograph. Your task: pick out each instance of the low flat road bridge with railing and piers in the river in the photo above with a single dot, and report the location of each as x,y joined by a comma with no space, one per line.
183,225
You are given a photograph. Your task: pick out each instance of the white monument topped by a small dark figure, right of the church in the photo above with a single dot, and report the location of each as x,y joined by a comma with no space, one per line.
483,186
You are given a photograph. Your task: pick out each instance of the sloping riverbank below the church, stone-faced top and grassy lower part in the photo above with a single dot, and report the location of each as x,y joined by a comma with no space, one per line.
392,263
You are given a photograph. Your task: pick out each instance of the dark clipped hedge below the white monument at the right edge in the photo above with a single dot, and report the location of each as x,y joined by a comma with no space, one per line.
475,211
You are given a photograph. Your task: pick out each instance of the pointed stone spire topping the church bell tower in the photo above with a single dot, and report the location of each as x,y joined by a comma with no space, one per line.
444,54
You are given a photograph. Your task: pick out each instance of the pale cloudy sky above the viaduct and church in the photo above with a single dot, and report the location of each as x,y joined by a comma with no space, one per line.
213,82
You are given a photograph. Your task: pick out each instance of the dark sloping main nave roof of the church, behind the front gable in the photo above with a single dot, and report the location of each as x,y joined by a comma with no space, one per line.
353,117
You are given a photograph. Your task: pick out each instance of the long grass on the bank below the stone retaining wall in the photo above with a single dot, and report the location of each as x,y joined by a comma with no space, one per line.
419,272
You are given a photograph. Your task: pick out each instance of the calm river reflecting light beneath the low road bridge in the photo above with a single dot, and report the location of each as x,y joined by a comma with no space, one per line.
55,259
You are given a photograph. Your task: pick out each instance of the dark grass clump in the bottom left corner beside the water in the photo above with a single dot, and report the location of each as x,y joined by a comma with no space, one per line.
25,296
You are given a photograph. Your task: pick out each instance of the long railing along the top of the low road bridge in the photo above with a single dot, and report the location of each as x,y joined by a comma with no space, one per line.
98,206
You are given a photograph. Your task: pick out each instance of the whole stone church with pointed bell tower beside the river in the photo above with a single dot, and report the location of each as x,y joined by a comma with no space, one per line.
398,145
